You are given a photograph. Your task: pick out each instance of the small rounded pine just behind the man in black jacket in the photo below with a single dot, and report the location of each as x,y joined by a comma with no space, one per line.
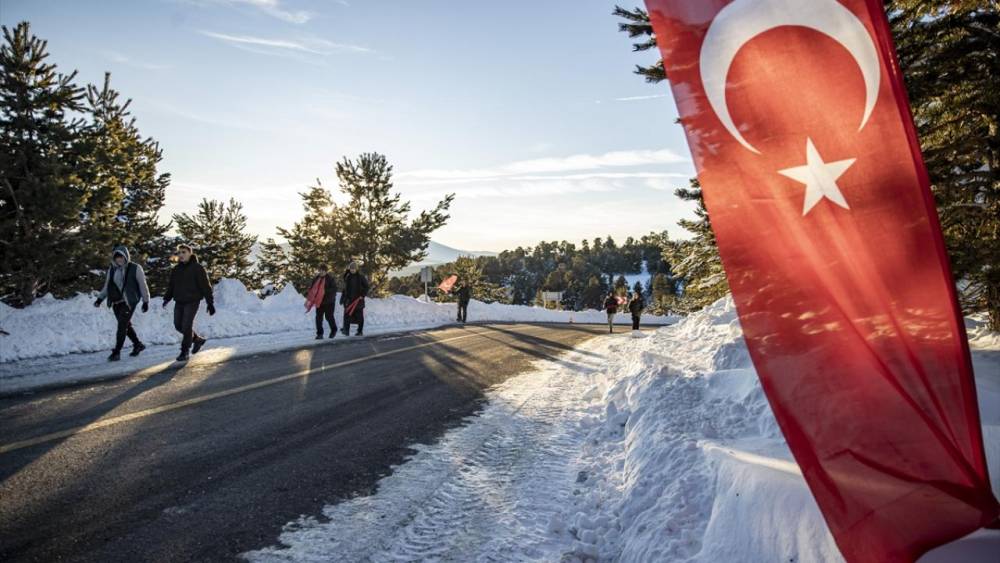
217,232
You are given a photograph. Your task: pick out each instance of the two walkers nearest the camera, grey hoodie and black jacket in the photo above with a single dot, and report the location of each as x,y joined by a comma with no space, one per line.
125,285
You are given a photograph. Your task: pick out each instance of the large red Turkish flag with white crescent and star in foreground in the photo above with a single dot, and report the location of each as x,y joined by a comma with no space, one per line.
801,133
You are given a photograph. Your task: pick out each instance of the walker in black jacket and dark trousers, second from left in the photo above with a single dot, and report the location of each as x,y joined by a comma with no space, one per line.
188,286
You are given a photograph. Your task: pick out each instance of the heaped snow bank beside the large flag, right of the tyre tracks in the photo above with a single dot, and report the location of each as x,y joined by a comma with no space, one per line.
694,465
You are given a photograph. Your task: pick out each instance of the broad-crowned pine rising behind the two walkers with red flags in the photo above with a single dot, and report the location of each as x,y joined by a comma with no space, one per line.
375,219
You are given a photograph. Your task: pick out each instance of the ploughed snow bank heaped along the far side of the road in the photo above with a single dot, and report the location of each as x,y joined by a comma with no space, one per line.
53,327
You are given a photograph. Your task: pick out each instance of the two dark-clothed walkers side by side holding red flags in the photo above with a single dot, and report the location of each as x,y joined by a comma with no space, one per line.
322,295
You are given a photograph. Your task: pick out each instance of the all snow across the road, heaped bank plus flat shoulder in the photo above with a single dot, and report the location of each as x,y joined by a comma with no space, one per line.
58,341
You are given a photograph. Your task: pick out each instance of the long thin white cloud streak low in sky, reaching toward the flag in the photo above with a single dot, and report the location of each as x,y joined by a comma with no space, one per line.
577,162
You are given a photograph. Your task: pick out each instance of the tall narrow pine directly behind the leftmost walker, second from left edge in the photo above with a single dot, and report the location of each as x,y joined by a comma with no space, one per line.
124,163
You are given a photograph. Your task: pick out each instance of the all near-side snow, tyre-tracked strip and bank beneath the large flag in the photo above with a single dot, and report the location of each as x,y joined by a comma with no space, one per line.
655,447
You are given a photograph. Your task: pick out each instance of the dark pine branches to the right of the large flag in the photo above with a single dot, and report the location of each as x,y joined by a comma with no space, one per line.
948,53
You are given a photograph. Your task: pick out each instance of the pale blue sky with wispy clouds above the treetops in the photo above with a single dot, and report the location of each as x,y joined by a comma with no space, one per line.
527,110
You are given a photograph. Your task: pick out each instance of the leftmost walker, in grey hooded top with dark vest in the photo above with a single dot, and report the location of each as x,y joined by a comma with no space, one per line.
124,286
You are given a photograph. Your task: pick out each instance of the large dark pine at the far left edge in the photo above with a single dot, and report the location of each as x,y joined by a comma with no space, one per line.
43,197
